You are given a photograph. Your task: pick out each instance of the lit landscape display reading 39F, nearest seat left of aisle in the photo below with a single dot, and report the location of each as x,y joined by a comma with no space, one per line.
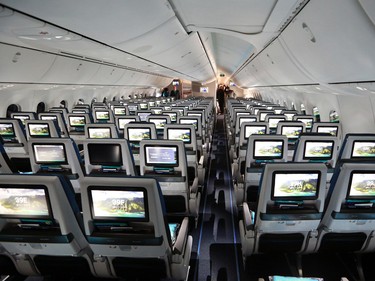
118,204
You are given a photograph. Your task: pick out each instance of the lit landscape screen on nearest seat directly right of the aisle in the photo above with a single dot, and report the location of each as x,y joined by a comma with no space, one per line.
295,185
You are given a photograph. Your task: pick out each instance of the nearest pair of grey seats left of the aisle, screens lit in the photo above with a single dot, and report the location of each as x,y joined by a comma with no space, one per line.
122,231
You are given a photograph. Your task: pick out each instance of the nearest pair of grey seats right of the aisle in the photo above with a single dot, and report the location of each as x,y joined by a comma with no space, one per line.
295,214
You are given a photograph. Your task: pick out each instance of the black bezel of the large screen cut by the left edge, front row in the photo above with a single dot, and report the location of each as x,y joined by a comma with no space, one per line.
28,186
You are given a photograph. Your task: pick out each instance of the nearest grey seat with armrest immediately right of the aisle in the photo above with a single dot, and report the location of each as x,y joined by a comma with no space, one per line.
288,212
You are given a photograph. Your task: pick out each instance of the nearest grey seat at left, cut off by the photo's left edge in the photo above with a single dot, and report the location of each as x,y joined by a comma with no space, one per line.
42,226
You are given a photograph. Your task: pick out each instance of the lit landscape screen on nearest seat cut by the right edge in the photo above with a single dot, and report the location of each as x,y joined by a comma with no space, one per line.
362,185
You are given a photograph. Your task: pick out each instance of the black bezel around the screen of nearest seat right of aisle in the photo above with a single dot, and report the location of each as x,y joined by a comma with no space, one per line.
295,198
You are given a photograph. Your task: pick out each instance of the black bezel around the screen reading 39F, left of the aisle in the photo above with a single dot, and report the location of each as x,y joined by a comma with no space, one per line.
118,188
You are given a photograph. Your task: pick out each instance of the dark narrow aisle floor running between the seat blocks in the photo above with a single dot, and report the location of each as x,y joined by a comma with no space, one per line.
218,252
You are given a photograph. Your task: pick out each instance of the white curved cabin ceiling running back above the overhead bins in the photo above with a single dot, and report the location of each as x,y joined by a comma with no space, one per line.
194,40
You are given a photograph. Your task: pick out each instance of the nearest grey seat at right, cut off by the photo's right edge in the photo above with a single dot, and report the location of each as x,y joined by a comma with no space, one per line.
349,217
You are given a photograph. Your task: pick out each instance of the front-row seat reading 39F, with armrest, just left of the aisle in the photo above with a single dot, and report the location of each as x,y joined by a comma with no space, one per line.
135,240
